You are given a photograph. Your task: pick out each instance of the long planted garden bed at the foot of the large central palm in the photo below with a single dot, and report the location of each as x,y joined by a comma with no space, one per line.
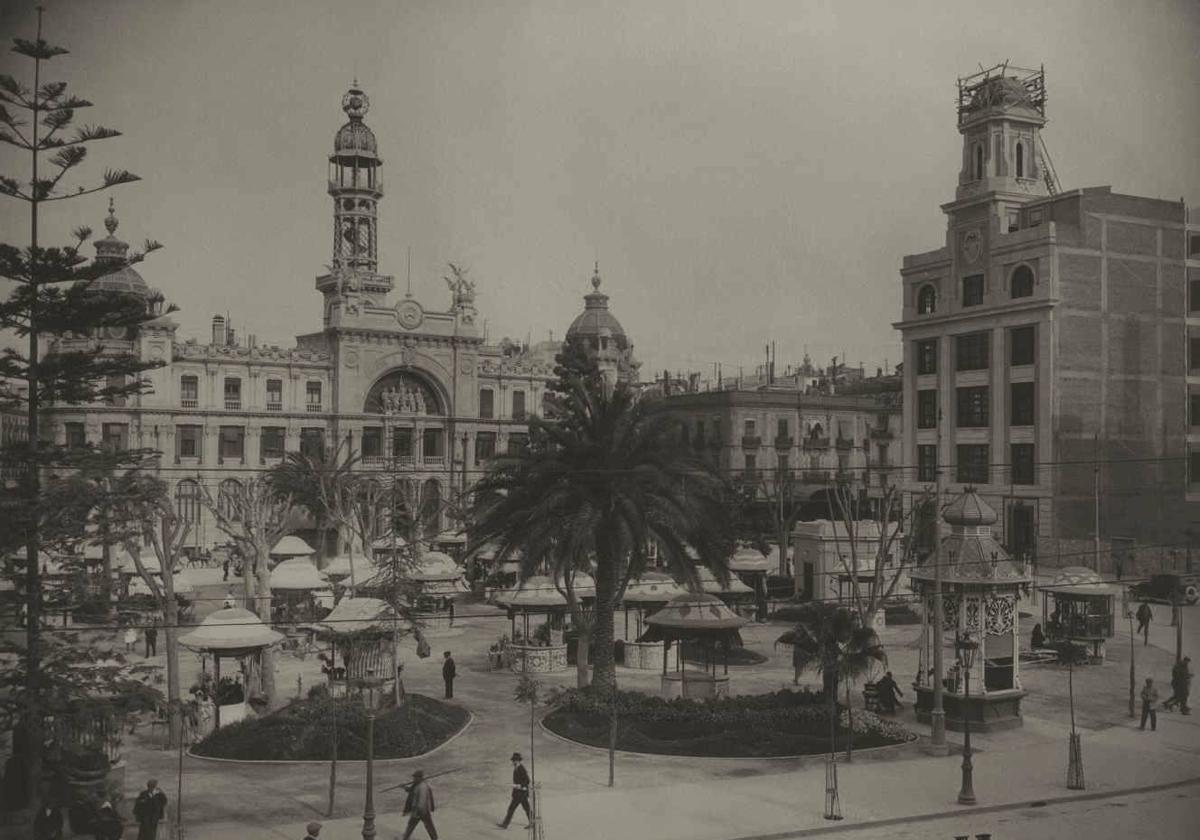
781,724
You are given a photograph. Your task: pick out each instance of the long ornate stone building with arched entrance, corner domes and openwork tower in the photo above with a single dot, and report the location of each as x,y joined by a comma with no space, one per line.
416,389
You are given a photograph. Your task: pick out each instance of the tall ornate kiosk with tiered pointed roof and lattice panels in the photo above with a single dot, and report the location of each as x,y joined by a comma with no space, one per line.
981,593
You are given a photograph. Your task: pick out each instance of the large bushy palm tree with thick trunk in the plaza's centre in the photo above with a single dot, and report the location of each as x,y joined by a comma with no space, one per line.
604,477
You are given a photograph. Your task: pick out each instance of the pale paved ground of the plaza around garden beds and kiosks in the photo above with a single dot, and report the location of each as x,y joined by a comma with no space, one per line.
659,797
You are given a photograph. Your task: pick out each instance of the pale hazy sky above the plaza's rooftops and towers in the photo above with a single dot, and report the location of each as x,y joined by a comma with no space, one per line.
745,173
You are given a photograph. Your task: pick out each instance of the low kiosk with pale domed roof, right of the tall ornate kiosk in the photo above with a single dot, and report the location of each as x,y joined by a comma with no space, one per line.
1078,607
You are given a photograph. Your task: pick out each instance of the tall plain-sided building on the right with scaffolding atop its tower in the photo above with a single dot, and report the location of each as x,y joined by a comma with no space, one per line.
1045,345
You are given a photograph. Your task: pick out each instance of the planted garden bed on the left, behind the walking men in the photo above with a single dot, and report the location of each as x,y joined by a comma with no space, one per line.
304,731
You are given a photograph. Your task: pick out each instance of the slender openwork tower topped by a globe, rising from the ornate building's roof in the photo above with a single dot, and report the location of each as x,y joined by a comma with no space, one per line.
356,187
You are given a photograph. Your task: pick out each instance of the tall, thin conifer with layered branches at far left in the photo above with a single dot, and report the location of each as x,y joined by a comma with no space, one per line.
52,302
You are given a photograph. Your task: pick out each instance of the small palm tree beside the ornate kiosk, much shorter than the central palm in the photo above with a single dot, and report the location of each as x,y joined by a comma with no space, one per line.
832,641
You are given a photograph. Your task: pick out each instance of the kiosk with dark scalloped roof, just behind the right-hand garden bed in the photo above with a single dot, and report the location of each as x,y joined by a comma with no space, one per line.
703,619
